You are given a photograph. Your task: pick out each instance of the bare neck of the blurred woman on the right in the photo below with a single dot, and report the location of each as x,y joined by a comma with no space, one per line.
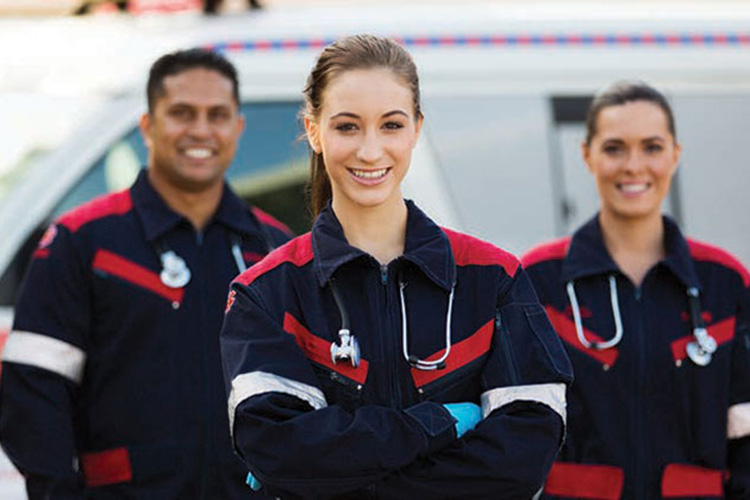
636,245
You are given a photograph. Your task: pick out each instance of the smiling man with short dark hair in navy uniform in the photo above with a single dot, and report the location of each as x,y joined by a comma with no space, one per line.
111,382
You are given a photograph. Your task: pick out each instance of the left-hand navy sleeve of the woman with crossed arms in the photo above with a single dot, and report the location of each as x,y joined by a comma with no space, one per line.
291,440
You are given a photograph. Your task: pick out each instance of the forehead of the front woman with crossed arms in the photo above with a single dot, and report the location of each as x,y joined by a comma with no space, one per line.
365,91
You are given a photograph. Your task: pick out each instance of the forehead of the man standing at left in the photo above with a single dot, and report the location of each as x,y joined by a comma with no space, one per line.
198,86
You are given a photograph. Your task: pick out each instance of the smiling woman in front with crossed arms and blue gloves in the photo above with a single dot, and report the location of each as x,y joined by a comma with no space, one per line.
358,356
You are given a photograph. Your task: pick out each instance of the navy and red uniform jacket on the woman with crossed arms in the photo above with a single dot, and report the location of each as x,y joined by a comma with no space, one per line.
308,428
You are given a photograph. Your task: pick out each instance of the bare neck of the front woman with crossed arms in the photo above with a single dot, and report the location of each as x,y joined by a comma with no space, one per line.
380,231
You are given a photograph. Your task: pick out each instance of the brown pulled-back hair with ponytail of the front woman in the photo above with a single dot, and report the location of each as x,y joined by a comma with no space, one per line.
351,53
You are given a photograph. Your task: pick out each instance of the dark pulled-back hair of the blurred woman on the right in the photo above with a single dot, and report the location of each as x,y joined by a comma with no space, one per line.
623,92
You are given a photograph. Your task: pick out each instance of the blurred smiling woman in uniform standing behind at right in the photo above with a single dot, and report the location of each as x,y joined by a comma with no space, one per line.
656,326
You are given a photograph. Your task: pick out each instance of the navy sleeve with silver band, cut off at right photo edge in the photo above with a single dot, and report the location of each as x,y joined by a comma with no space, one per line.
738,421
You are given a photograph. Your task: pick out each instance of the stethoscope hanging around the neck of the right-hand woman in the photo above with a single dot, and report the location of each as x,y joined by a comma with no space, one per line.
700,350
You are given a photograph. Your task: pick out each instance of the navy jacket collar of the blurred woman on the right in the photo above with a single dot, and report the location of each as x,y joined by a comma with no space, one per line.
588,256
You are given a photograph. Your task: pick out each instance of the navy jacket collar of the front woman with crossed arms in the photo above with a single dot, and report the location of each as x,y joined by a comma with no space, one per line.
427,247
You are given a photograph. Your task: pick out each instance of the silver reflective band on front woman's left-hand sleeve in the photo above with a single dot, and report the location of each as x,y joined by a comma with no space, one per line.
251,384
